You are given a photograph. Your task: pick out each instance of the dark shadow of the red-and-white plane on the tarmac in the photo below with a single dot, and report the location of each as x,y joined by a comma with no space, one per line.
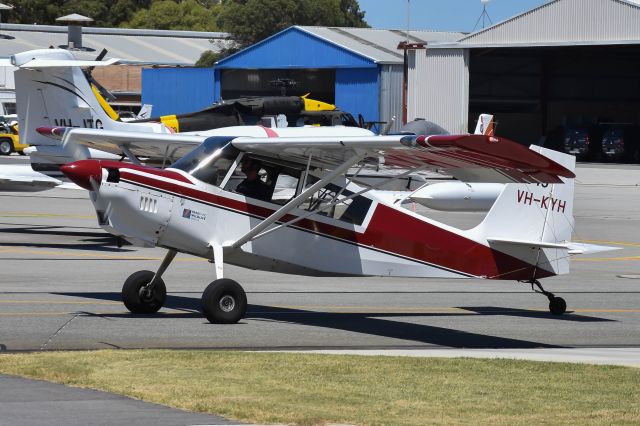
373,323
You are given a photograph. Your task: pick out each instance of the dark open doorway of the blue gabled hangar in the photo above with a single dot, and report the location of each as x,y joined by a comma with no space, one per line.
235,83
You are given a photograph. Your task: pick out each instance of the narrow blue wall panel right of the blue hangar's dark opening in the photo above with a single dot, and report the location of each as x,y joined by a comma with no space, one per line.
357,92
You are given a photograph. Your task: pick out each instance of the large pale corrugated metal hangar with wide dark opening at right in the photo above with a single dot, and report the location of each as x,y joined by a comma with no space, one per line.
559,68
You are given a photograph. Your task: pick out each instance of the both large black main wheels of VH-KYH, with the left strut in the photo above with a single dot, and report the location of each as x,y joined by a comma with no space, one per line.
224,301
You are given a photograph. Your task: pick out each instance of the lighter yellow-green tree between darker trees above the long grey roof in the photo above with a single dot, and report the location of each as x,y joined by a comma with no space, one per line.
188,15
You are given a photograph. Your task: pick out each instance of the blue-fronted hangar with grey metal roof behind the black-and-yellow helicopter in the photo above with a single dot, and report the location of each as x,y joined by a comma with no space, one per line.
358,69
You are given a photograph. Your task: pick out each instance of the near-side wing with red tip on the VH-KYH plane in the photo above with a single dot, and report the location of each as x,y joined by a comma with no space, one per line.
469,158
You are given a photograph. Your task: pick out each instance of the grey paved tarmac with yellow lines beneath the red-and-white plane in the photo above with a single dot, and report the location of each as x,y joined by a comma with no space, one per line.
61,276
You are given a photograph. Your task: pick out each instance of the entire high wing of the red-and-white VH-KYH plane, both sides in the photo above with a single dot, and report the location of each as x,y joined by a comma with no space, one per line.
470,158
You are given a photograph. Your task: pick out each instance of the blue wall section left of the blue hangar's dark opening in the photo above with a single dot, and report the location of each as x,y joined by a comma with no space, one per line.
177,90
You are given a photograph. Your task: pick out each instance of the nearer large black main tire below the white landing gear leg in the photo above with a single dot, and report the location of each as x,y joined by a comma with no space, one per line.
224,302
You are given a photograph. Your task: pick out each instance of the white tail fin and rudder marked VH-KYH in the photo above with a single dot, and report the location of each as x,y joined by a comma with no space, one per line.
534,222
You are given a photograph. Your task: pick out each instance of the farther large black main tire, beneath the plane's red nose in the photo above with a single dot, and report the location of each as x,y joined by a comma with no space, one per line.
136,301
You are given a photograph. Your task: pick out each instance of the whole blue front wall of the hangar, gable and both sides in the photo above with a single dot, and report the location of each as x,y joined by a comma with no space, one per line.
179,90
